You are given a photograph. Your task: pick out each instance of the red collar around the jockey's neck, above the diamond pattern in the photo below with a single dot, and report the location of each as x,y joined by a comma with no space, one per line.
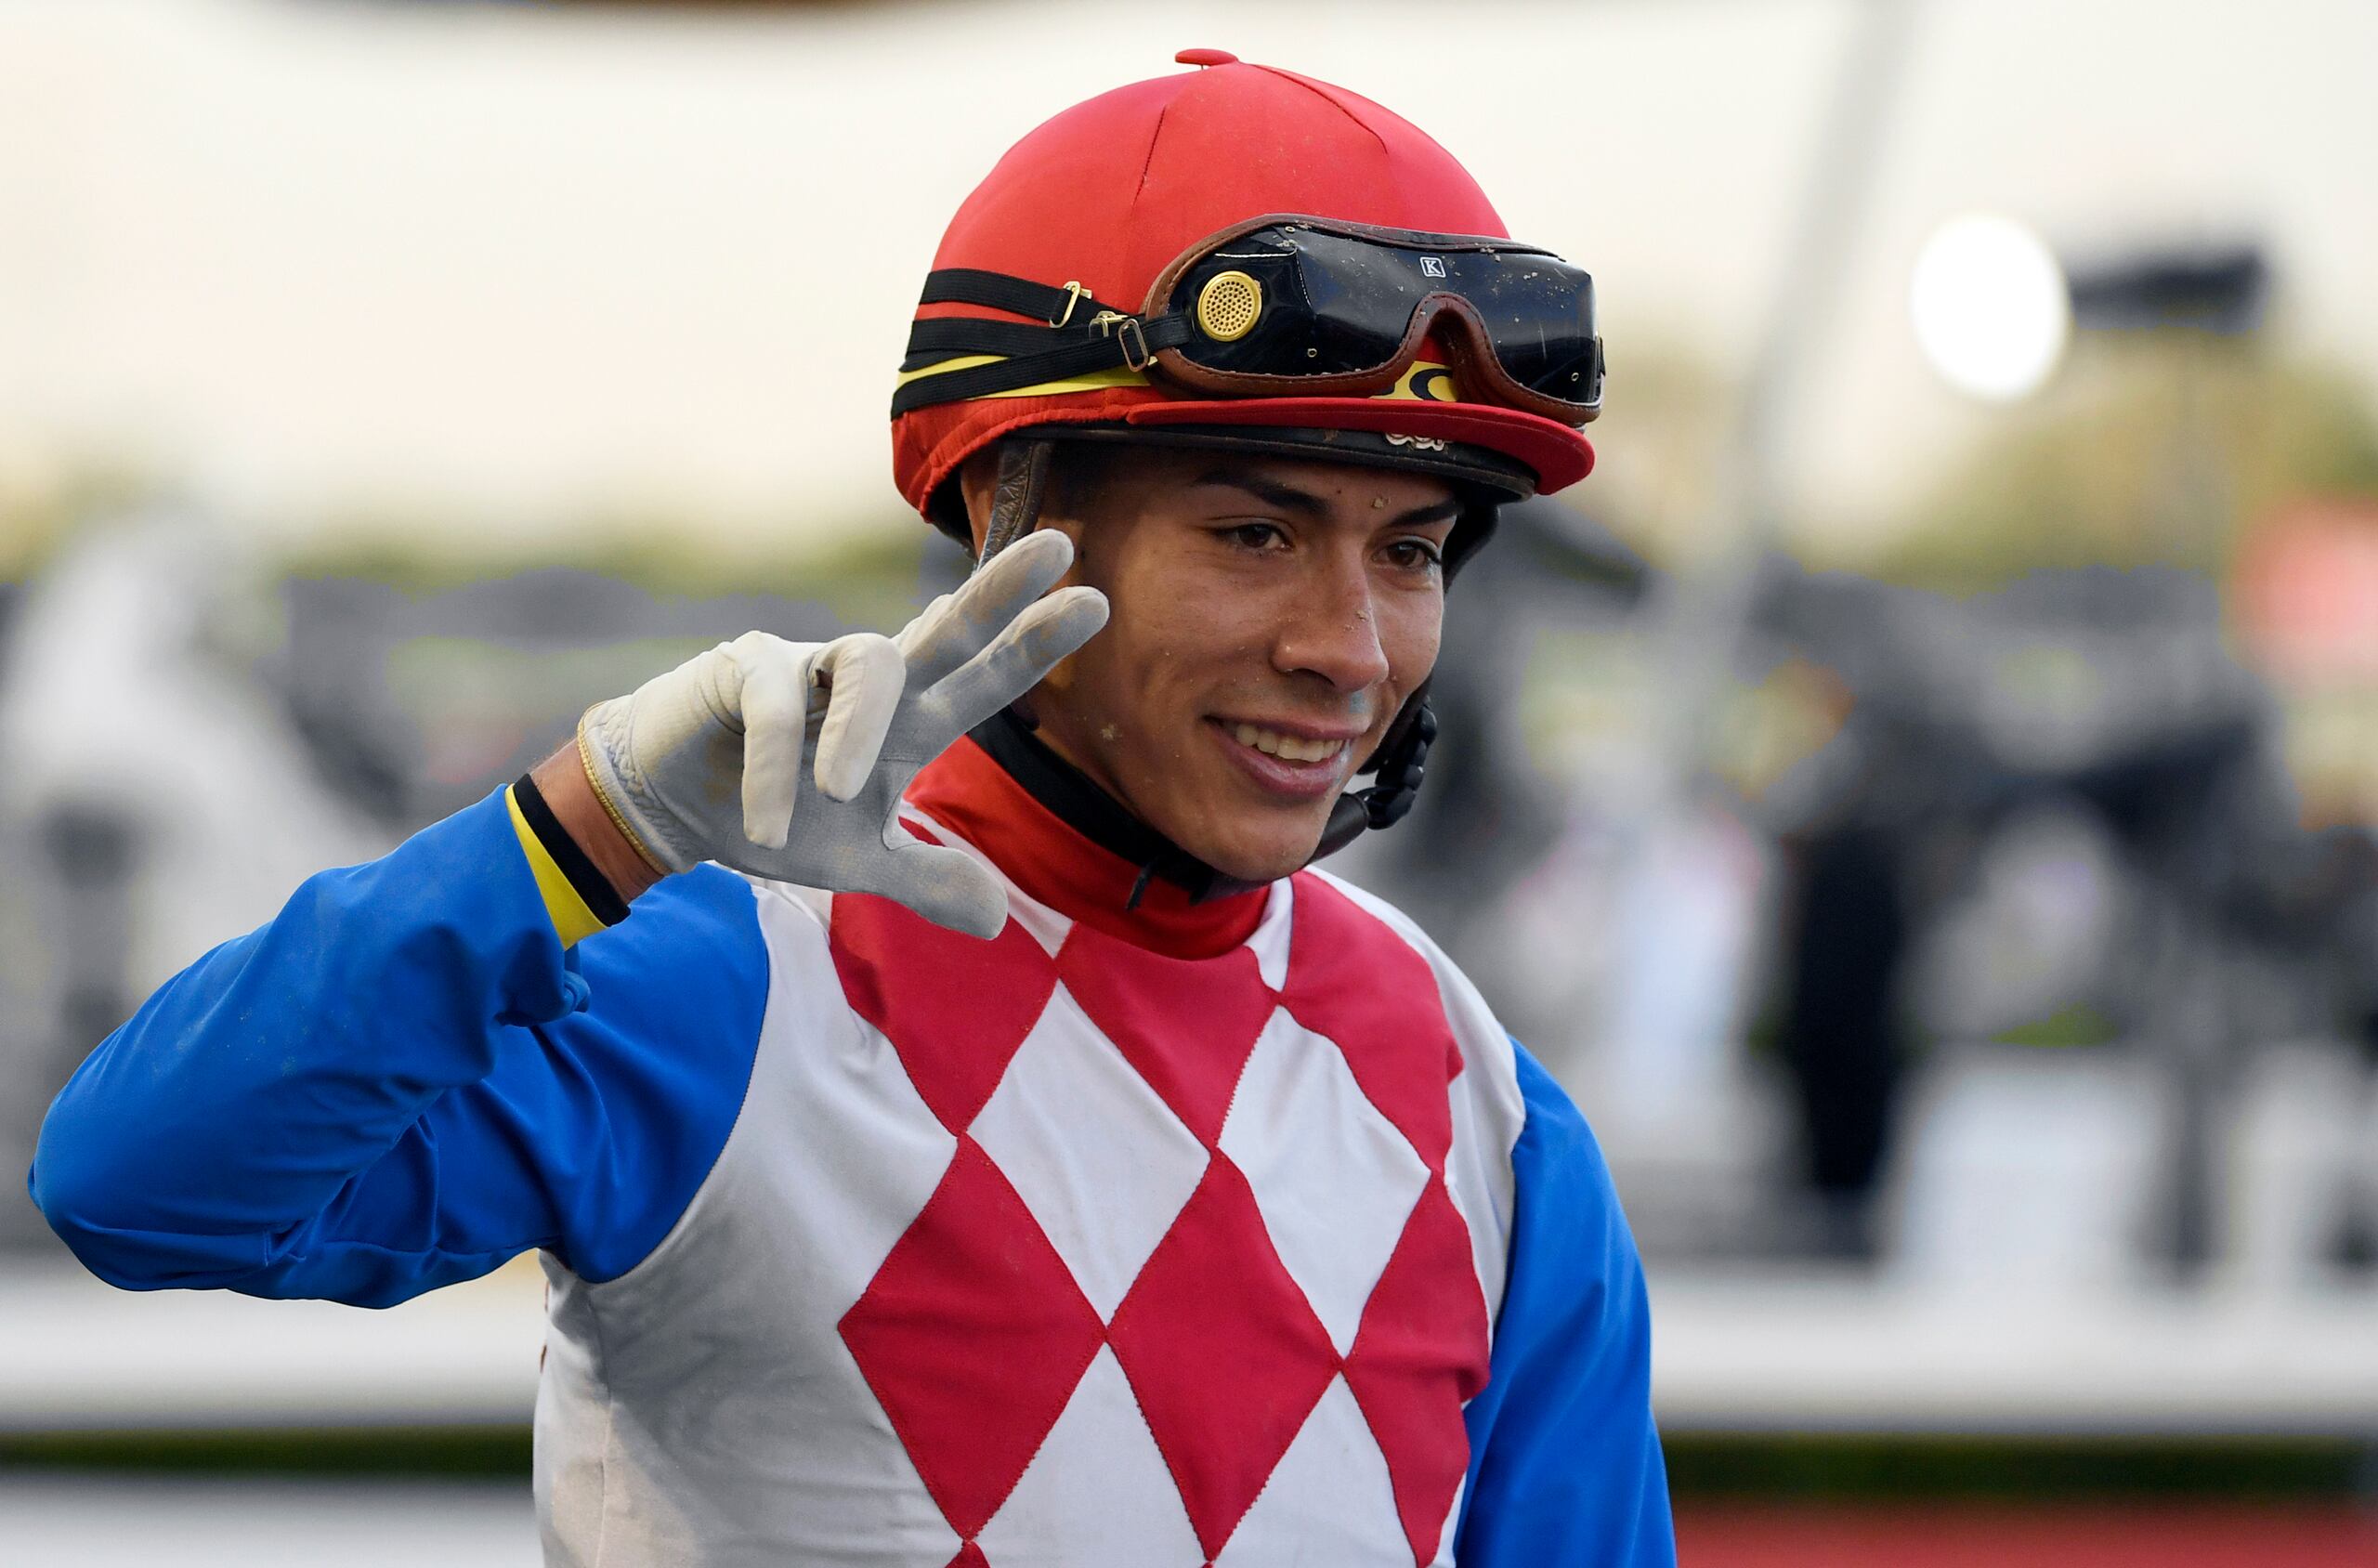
1057,865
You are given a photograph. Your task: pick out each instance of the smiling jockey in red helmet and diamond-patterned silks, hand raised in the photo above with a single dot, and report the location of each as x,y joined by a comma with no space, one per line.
957,1119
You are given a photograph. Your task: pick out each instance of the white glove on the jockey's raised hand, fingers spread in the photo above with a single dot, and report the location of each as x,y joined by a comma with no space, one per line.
707,760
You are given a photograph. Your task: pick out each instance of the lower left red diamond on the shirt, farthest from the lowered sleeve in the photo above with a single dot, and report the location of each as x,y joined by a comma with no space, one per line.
974,1338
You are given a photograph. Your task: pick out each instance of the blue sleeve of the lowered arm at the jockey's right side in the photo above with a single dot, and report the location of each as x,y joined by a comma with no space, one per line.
1564,1457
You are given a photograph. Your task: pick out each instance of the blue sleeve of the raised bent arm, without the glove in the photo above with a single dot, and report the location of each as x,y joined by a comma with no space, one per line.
403,1081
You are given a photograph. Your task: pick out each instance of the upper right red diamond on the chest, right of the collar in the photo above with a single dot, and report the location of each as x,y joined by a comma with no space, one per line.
1359,984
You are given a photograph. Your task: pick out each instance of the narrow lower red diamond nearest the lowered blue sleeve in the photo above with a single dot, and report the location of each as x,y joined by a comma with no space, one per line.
1418,1357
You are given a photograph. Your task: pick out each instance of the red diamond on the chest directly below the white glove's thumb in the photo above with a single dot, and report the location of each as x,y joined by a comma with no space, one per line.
955,1008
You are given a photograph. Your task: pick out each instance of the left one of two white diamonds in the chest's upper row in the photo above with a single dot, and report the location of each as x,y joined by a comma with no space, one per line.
1097,1158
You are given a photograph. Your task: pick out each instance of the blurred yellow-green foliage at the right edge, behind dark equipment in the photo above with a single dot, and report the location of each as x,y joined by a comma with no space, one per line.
2151,451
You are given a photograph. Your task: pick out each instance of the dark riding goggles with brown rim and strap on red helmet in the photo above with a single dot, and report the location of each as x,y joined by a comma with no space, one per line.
1278,308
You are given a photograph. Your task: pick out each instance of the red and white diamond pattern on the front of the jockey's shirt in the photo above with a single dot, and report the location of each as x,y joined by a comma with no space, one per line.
1193,1288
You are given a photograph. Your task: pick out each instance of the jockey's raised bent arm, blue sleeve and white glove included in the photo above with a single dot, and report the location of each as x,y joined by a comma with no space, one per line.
401,1081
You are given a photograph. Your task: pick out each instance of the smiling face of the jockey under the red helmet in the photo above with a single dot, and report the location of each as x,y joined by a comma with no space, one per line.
1269,622
